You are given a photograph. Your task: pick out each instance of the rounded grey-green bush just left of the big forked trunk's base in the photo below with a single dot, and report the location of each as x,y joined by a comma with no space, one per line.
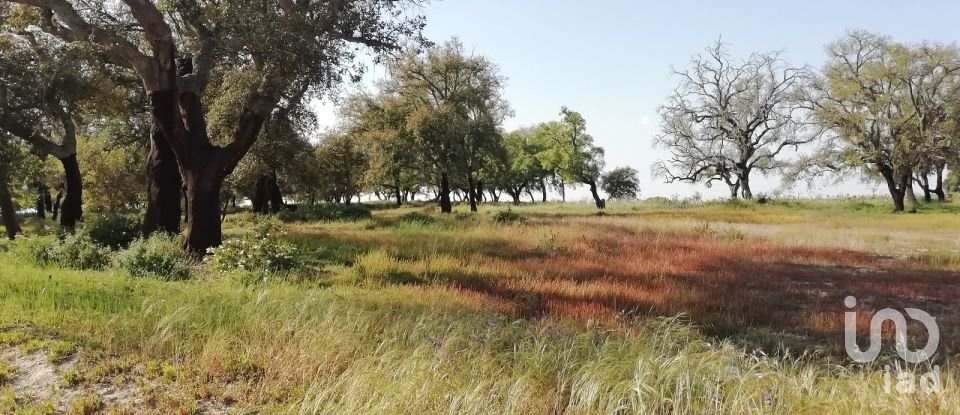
160,256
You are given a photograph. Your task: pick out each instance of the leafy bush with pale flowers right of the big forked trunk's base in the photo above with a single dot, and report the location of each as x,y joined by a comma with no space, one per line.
260,254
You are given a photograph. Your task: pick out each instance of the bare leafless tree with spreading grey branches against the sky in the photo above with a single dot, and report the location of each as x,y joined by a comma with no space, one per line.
728,119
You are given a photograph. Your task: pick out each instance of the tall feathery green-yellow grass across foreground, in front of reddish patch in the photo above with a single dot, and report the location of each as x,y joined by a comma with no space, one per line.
407,350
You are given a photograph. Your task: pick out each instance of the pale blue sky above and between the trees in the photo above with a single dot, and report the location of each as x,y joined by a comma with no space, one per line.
611,60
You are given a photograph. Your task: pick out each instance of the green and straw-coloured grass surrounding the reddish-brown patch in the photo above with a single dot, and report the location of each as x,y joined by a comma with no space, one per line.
377,328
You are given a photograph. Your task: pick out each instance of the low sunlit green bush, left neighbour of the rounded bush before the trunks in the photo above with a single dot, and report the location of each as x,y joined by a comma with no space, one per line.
77,251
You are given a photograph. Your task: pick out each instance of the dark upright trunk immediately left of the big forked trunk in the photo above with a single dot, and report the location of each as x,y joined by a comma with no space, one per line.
164,187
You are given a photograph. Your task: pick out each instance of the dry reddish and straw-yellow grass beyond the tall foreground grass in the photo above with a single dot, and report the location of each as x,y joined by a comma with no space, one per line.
770,292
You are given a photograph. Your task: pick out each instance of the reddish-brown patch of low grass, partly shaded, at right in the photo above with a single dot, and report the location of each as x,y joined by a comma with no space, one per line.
756,294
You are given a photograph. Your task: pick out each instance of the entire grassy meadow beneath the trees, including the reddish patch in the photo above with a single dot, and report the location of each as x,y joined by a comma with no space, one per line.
652,307
